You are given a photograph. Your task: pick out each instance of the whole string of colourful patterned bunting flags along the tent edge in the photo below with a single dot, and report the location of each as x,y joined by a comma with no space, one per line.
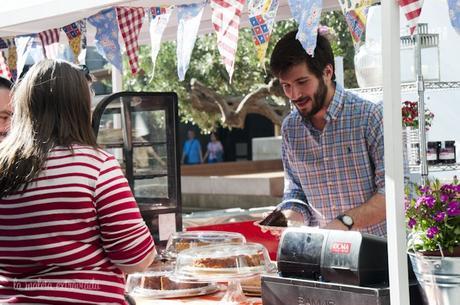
226,16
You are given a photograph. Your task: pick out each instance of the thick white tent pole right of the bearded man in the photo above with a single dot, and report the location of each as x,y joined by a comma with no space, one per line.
394,175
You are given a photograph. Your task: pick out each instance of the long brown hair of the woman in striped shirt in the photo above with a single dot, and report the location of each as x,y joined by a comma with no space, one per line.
52,107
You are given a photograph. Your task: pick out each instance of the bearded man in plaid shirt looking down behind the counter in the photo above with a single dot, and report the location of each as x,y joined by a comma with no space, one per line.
332,147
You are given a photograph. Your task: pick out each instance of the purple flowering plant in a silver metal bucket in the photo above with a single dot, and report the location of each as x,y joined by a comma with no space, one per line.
433,220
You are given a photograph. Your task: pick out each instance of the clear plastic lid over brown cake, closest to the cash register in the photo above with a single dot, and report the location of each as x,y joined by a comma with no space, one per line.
222,262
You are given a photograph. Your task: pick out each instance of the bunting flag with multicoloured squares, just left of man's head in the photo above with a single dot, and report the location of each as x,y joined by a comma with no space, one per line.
262,15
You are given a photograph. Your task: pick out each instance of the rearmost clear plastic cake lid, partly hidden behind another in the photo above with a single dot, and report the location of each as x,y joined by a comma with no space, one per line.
180,241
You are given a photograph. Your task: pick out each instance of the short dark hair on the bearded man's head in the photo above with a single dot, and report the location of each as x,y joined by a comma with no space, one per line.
288,52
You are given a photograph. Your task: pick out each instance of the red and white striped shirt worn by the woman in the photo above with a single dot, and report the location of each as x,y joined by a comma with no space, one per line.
61,238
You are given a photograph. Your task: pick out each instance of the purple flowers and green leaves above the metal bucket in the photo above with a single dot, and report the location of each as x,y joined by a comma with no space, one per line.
433,217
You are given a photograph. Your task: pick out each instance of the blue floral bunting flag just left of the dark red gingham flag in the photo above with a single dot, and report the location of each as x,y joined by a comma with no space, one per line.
106,38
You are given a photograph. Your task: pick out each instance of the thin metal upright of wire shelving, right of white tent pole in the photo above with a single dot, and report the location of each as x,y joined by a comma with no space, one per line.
421,107
